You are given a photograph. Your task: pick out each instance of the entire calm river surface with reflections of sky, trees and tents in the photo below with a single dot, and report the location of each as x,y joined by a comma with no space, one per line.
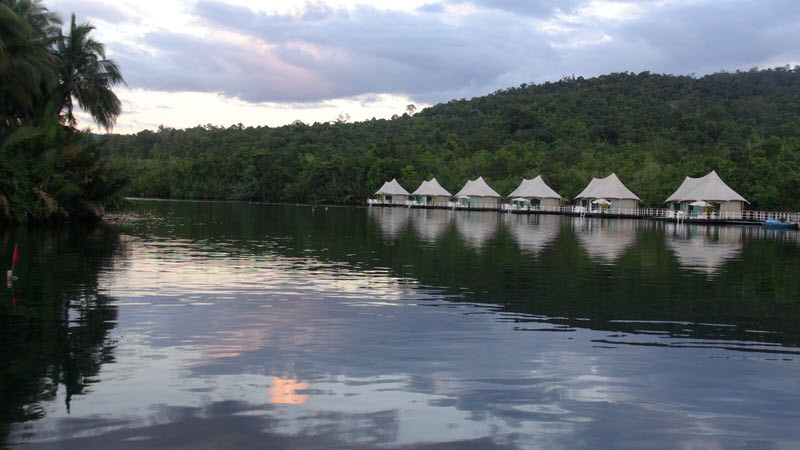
186,324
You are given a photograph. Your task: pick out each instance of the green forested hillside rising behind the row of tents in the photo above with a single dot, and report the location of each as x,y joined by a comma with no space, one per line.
652,130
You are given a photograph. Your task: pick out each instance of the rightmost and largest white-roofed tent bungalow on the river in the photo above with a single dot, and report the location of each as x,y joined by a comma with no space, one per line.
696,196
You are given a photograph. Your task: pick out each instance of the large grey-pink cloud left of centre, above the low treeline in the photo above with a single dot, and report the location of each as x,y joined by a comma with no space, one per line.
328,54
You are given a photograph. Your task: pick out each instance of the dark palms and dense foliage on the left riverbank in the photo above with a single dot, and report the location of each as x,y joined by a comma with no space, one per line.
49,170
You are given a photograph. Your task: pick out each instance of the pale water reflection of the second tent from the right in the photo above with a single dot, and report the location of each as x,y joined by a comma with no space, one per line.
605,239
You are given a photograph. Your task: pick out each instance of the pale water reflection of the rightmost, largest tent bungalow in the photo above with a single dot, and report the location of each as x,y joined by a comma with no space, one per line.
702,247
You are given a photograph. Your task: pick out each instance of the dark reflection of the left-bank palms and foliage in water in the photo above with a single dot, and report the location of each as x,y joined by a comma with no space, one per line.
56,336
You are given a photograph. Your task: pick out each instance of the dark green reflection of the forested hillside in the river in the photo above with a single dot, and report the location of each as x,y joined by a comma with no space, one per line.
645,282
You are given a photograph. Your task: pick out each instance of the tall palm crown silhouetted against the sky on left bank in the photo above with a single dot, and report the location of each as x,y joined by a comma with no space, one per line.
86,76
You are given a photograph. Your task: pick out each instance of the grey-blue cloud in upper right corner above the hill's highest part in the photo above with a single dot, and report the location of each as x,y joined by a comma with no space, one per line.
696,38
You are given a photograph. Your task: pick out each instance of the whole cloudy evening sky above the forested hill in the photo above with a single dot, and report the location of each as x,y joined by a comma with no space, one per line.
224,62
